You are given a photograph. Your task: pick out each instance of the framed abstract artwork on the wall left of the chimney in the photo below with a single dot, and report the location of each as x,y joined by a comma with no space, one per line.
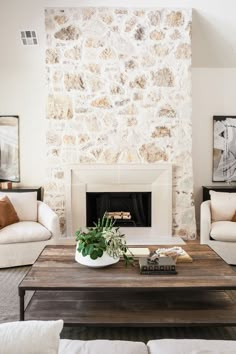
9,149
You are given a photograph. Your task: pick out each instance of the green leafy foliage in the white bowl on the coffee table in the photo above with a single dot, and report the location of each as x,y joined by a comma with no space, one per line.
104,236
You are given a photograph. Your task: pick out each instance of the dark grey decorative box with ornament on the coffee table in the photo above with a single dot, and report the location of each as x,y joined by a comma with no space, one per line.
156,264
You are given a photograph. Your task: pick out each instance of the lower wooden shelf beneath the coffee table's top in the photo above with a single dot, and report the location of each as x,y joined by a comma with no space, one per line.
122,308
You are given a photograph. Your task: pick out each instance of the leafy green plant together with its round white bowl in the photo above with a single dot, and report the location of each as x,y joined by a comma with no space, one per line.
102,245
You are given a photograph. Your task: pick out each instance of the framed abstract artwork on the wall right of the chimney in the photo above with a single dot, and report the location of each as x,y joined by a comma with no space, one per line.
224,148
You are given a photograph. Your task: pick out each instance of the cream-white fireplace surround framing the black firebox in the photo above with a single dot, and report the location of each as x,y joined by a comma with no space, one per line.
156,178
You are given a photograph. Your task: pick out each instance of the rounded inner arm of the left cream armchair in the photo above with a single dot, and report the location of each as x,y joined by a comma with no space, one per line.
48,218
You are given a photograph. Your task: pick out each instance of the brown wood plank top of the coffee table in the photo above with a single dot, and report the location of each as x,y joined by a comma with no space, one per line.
57,269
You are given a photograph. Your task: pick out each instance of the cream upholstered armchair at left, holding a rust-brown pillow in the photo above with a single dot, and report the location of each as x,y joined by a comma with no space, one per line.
22,242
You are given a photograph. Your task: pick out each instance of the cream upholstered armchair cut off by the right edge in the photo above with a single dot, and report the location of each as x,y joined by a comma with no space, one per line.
218,224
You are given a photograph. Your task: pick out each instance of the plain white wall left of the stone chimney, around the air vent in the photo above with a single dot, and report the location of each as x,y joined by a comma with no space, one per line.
22,84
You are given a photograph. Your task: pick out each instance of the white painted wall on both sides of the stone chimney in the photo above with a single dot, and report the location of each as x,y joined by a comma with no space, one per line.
22,75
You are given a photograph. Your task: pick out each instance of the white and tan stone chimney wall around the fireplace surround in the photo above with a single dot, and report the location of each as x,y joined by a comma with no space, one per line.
119,91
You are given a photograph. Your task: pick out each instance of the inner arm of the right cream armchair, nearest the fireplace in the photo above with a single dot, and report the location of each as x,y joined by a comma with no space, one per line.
205,224
